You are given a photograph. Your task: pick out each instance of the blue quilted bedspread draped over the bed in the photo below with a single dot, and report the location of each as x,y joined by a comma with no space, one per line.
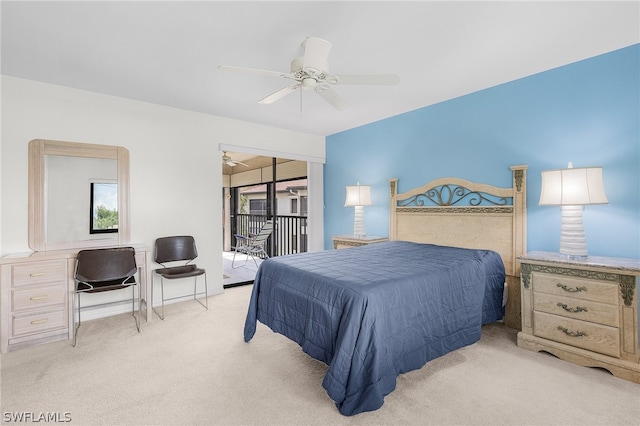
374,312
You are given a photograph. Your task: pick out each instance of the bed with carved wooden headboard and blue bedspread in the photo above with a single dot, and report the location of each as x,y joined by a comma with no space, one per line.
374,312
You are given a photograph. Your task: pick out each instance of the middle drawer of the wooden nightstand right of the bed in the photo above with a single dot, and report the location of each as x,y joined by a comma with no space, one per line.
571,307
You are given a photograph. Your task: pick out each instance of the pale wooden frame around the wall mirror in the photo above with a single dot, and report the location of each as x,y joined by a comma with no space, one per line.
38,148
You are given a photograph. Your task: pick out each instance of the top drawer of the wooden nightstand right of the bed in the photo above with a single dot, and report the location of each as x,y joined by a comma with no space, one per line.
585,289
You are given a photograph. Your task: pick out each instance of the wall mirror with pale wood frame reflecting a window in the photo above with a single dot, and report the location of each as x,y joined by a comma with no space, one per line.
62,179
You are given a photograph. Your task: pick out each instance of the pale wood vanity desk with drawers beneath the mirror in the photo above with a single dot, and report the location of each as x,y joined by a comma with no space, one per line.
36,296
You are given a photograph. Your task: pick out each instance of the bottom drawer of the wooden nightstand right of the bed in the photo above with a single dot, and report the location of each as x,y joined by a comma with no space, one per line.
582,334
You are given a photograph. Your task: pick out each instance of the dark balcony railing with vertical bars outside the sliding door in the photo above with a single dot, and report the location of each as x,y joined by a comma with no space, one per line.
289,233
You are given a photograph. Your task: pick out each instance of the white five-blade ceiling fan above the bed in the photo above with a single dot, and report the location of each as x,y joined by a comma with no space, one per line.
310,71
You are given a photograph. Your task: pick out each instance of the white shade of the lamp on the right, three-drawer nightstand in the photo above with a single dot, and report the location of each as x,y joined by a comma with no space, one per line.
571,187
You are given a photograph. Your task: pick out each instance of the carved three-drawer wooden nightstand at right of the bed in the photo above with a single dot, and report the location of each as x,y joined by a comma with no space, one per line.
582,311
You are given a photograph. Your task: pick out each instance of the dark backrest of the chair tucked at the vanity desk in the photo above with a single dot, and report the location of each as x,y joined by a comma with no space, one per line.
106,264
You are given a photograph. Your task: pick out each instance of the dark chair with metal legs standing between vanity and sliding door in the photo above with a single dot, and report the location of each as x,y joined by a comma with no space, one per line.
178,249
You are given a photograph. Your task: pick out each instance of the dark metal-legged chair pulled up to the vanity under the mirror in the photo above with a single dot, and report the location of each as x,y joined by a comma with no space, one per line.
108,269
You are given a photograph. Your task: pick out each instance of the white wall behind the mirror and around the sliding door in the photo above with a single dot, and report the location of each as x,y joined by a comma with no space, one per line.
176,172
